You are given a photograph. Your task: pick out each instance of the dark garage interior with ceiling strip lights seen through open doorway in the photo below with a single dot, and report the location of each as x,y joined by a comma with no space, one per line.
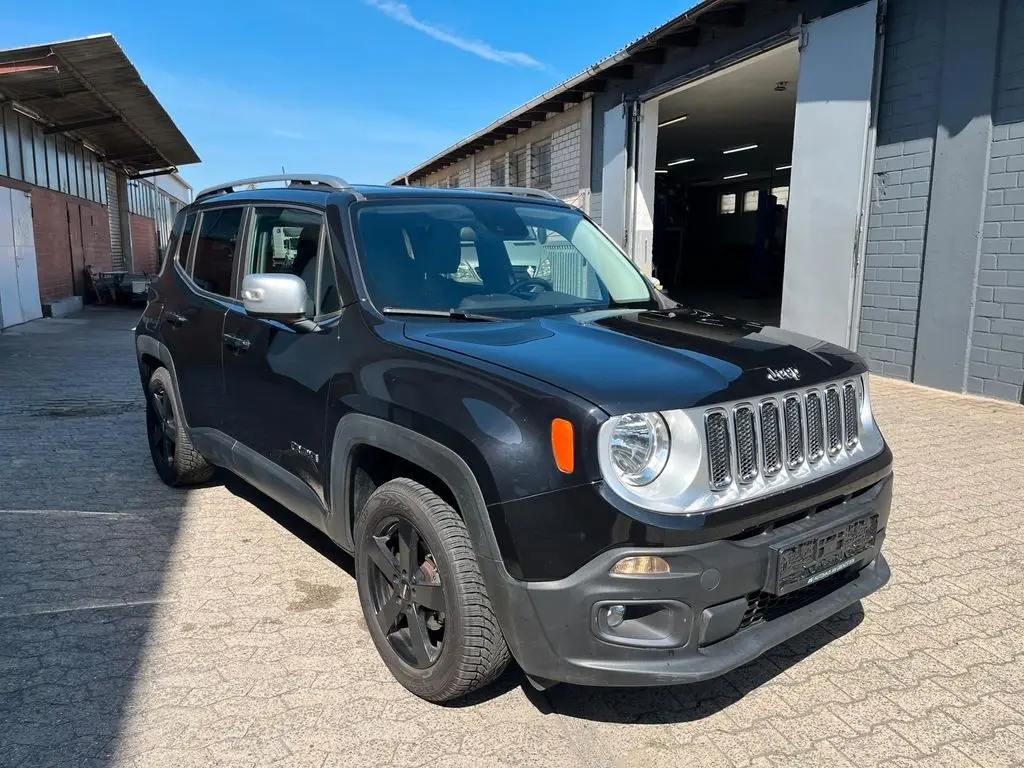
722,184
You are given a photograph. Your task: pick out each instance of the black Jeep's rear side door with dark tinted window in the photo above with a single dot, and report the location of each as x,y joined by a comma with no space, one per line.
192,324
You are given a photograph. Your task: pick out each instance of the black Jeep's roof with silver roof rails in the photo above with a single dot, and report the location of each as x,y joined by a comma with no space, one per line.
319,197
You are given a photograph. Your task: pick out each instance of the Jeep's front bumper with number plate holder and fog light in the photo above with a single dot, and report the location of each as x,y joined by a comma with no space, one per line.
735,593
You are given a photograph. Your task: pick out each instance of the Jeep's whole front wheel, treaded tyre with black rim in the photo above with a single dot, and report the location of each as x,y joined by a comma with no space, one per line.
471,651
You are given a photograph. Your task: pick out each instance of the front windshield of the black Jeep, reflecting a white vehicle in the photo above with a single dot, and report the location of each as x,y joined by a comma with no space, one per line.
491,257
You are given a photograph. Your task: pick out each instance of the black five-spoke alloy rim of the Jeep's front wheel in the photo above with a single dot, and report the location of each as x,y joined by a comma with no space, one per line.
407,593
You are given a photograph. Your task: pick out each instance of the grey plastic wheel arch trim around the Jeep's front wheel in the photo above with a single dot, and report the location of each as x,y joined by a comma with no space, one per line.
357,433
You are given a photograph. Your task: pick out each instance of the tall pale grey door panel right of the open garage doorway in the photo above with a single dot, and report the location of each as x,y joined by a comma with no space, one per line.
830,149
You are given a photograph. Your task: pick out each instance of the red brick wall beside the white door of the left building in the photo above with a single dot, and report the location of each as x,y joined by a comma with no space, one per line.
59,265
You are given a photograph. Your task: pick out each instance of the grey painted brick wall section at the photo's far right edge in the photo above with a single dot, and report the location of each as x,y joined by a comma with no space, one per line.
997,366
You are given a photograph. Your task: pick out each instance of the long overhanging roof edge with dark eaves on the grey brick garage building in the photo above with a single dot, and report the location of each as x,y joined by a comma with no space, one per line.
646,50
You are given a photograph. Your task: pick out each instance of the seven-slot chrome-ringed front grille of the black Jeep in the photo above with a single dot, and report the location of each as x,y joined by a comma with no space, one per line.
781,434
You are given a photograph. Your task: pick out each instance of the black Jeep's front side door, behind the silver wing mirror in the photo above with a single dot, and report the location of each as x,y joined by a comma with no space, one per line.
277,377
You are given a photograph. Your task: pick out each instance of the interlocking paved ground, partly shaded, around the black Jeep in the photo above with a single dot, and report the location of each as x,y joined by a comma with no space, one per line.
142,626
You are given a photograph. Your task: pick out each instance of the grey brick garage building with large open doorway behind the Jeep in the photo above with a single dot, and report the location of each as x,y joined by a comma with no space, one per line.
846,169
